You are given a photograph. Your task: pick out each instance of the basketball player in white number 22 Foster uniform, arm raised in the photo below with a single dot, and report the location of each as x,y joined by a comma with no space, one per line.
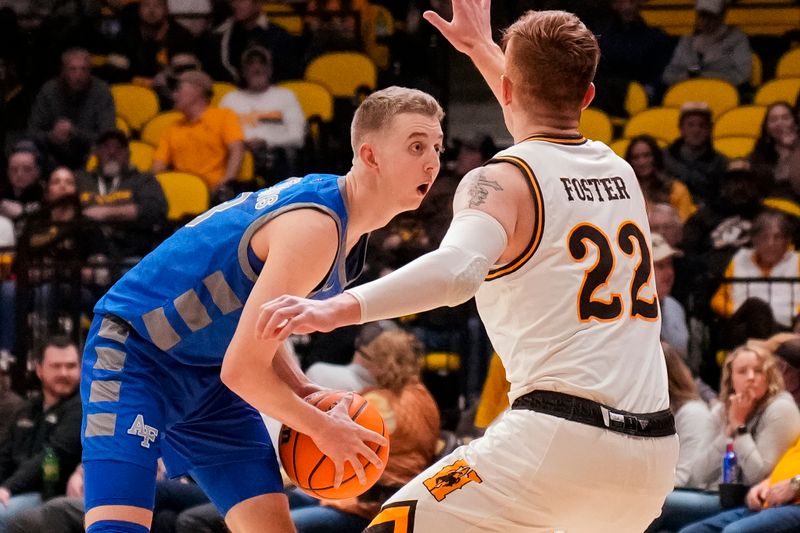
551,236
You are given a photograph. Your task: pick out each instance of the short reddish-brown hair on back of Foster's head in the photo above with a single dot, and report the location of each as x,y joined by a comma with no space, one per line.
553,58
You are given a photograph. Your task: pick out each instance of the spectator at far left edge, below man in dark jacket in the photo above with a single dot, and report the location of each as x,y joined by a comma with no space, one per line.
24,192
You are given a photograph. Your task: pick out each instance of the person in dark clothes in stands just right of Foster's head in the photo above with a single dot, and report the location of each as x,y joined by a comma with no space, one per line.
631,50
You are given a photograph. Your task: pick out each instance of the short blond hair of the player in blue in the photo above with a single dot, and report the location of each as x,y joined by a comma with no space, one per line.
379,108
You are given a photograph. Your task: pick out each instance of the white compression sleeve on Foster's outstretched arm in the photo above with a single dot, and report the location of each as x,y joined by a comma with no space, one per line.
448,276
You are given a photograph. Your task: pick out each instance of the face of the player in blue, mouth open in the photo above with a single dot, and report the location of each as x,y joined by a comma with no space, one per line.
408,157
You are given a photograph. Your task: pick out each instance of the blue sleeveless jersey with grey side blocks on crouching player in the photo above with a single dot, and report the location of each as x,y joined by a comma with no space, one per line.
187,295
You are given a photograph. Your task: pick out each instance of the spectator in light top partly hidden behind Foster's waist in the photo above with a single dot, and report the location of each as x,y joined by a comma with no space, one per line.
693,421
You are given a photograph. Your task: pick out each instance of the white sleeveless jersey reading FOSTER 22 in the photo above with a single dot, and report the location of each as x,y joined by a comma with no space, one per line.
576,312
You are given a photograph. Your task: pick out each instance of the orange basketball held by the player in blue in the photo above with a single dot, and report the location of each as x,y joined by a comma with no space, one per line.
313,472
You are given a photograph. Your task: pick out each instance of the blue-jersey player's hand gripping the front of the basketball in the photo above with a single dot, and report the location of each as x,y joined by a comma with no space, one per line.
343,441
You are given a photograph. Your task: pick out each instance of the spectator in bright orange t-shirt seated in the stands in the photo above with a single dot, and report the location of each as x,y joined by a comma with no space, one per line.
207,142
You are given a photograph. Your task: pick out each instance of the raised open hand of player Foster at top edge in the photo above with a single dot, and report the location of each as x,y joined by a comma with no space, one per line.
471,25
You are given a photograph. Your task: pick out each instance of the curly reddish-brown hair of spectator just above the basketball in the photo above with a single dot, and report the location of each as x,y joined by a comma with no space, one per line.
393,359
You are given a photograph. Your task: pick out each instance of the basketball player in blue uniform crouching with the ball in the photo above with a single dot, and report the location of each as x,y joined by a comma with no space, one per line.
173,366
